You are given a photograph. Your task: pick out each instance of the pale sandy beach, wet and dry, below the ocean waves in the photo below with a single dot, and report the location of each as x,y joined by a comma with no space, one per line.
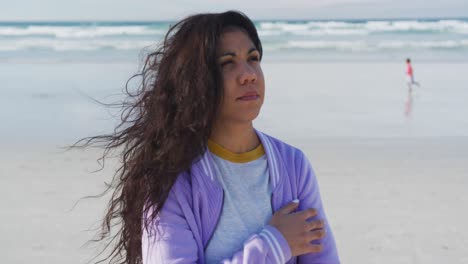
394,186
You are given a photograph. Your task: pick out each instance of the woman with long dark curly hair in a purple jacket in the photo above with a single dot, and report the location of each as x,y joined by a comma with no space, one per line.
198,183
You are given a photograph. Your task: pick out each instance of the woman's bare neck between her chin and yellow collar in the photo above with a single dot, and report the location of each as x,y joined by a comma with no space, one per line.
237,138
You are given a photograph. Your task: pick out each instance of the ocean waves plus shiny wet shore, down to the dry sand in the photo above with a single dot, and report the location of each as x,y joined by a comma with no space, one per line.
323,78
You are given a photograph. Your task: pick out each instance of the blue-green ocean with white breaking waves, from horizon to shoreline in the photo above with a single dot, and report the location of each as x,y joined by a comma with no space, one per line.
333,40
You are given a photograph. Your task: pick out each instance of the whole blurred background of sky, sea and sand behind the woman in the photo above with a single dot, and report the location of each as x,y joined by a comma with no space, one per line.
392,161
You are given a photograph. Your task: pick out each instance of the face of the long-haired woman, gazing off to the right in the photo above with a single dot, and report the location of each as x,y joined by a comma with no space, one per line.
244,85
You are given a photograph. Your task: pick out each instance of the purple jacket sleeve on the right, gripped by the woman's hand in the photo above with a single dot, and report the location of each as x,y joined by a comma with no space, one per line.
309,197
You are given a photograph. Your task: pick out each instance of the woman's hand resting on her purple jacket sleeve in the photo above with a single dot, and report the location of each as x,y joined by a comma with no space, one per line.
297,230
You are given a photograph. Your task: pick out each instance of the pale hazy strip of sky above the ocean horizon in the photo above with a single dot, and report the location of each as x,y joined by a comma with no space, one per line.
155,10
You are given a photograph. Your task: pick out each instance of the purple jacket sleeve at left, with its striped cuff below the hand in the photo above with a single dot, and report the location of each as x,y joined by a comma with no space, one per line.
172,241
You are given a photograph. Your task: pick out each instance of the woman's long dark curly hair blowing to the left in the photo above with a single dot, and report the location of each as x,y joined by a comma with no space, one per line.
164,126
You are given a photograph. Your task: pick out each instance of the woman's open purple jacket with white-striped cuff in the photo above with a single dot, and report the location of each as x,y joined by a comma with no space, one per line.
191,212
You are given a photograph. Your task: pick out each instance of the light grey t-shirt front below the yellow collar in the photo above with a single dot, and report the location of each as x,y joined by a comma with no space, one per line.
246,206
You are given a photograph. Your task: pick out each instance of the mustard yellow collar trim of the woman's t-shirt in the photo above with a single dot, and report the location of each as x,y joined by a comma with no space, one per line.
244,157
